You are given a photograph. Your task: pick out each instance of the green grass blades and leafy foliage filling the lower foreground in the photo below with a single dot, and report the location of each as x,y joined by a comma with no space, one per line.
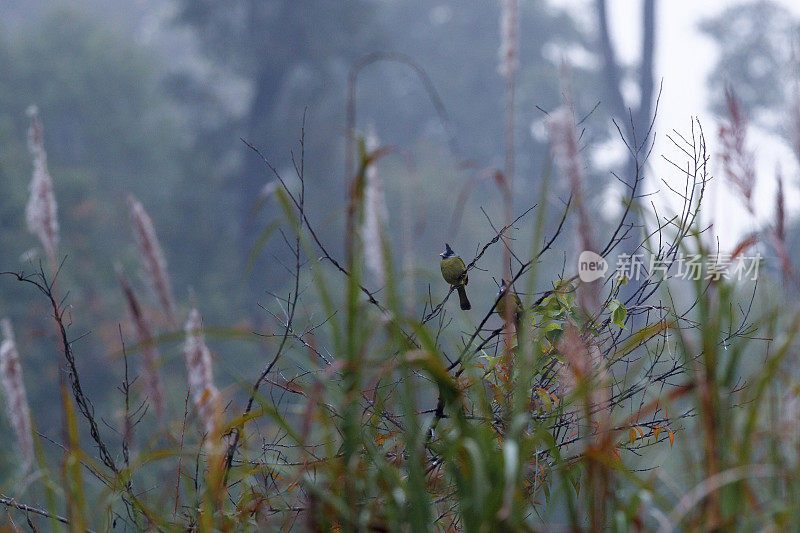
512,445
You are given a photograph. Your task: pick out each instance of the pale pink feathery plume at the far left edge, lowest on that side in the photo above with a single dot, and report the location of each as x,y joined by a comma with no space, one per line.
16,398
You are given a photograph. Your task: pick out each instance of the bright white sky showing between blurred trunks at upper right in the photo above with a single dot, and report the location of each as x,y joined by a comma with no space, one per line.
684,58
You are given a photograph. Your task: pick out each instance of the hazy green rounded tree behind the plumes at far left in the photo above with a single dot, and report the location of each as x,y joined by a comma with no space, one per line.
107,131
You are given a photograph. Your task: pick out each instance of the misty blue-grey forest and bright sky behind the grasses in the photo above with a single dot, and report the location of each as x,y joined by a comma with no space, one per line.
152,98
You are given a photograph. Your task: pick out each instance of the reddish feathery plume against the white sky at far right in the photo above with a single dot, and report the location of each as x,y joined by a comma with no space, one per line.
738,162
